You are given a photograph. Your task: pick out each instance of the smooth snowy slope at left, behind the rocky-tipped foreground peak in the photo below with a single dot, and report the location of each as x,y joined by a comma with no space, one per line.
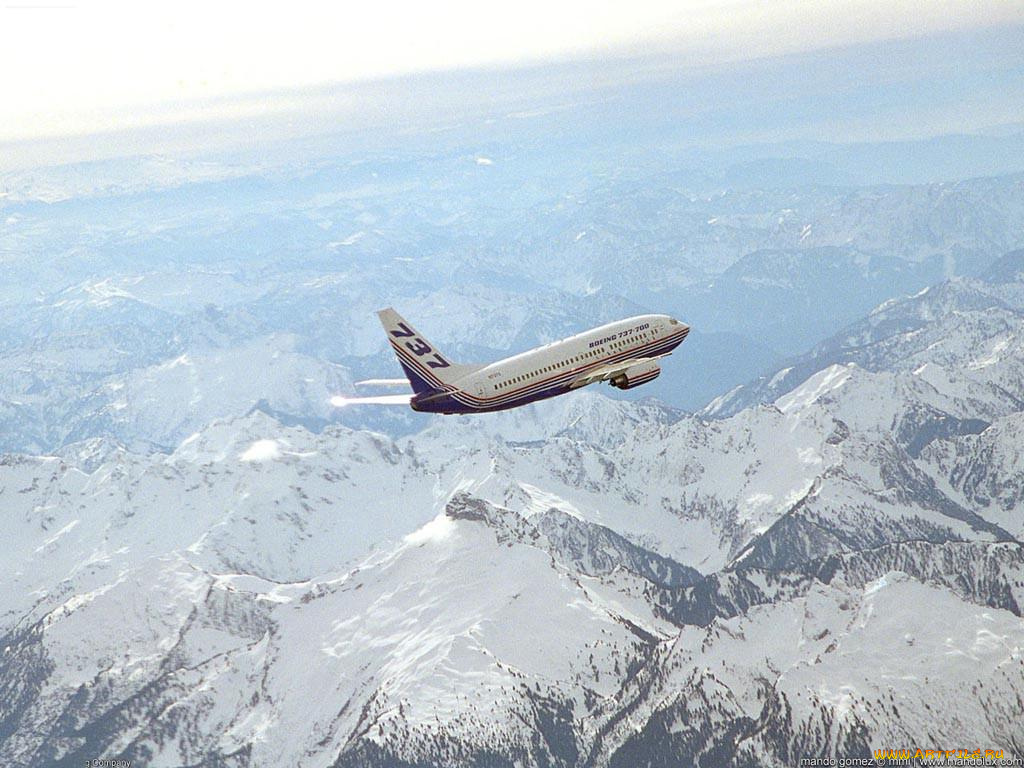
248,496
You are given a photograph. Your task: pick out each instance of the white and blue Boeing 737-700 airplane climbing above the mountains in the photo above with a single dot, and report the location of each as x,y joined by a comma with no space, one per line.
625,354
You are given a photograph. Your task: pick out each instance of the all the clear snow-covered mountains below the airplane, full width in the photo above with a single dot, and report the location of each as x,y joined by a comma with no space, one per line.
583,583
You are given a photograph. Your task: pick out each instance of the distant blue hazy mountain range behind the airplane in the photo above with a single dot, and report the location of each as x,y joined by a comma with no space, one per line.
125,308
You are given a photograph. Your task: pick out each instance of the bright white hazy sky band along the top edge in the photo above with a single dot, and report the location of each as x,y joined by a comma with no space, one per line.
74,67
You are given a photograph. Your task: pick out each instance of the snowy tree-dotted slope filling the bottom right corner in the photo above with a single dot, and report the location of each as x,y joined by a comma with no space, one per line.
807,677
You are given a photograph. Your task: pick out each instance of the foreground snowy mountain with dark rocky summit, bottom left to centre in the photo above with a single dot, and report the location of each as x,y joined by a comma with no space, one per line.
395,656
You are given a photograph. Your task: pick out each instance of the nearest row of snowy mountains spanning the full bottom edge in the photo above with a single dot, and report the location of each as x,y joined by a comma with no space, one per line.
480,639
